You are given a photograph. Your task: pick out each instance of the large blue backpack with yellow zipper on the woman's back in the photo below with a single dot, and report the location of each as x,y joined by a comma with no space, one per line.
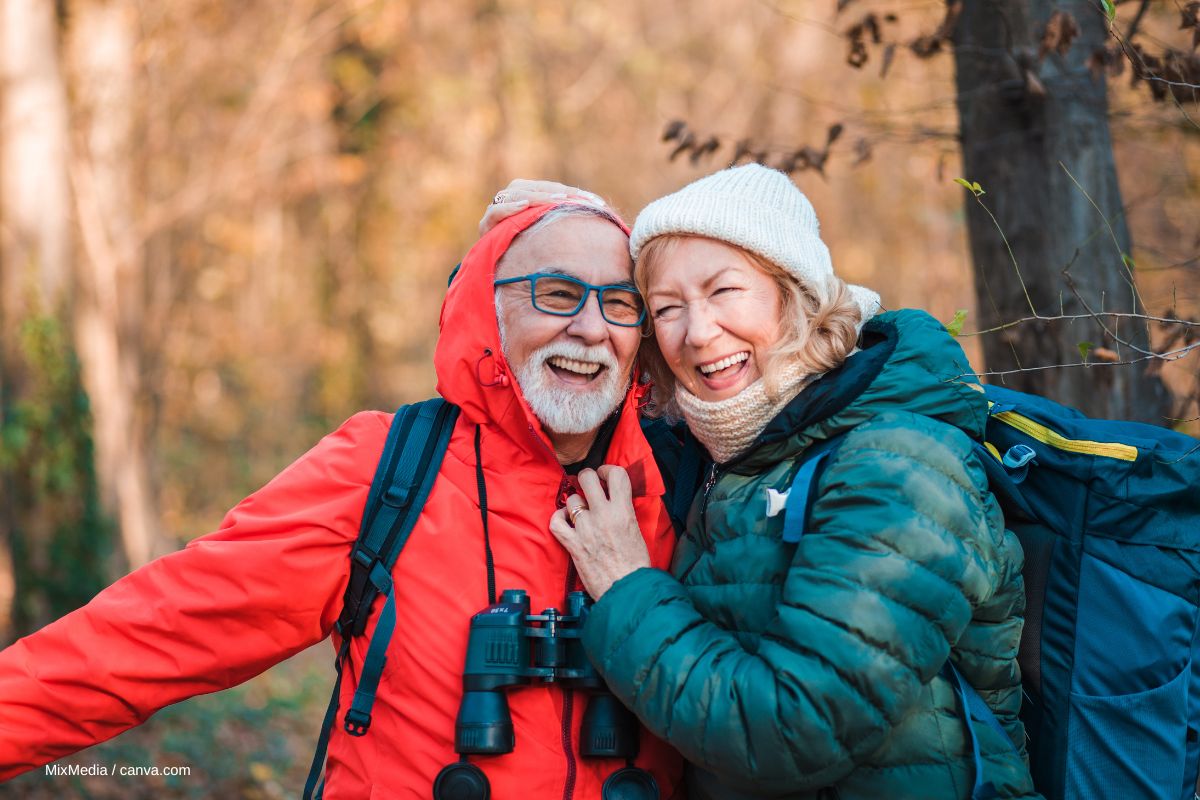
1109,518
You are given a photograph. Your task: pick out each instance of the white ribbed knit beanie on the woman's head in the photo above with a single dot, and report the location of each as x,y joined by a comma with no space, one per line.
758,209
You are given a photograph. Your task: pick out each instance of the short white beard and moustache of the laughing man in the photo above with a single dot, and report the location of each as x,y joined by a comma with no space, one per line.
565,411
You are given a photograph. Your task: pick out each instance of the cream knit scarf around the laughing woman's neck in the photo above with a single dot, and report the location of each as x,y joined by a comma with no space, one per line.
730,426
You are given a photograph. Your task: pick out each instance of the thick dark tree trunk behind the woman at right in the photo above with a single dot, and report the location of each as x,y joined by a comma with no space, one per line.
1029,127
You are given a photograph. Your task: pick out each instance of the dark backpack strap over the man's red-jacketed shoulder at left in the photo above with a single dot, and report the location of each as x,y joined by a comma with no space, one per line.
409,468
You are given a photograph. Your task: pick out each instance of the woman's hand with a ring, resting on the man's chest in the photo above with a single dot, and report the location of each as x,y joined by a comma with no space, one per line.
605,543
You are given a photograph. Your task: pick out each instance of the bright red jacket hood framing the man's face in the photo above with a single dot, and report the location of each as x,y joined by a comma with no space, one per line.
471,368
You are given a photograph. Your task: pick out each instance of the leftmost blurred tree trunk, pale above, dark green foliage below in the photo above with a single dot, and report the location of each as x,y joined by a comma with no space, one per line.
52,539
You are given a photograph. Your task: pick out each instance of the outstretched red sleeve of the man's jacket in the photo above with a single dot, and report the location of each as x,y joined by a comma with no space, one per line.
263,587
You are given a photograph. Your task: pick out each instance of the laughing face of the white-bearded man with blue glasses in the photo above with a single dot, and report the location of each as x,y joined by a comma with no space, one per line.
573,371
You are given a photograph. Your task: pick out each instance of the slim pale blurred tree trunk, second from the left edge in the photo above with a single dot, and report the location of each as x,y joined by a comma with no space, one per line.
110,308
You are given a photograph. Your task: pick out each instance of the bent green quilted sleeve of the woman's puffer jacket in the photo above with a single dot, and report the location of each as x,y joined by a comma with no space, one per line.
898,556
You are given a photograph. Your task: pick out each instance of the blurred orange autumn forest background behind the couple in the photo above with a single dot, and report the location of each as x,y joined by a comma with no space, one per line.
225,227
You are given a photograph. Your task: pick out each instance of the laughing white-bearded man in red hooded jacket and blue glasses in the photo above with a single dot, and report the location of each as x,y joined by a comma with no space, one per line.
544,382
